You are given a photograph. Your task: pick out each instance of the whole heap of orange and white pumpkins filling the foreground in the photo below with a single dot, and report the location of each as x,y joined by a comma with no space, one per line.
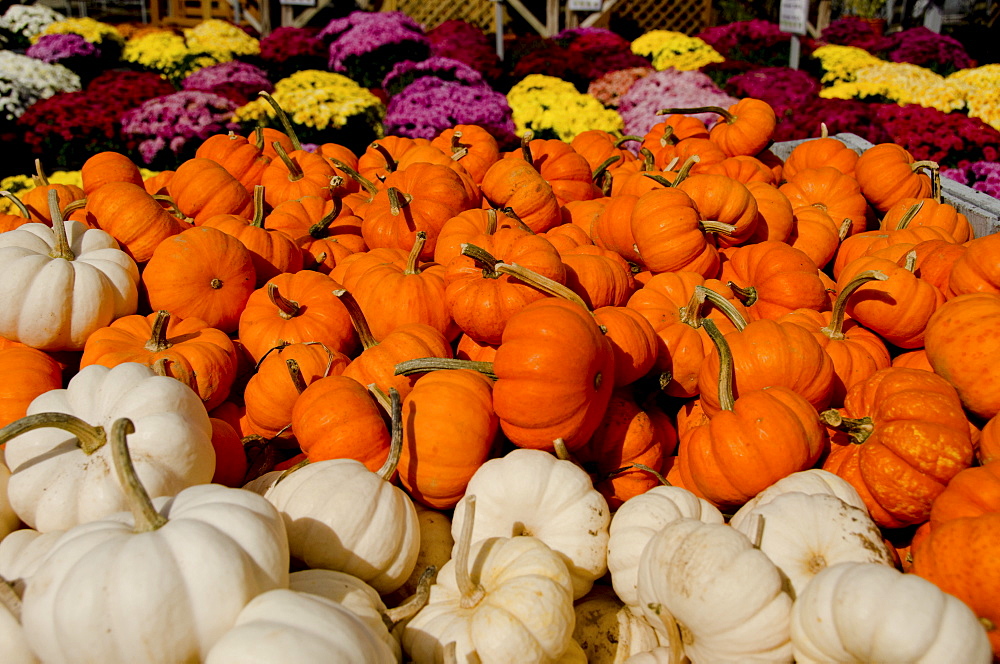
558,404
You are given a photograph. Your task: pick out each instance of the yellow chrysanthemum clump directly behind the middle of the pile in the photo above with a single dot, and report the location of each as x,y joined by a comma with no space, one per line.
547,103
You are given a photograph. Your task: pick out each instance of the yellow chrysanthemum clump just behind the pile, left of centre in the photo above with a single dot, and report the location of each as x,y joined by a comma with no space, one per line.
316,99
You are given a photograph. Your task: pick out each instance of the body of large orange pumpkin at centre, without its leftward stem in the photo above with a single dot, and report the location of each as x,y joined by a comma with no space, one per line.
555,373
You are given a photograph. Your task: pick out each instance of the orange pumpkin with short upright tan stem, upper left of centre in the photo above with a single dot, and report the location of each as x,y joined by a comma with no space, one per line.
397,293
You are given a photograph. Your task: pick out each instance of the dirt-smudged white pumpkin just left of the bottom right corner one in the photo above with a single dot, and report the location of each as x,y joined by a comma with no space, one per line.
725,597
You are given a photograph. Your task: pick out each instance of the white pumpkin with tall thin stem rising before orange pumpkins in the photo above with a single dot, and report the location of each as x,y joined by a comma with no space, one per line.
342,516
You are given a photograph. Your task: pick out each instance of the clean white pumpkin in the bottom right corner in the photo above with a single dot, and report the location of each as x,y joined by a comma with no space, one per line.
865,612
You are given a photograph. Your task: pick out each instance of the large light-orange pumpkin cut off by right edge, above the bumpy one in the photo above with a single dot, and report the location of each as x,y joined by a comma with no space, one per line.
961,344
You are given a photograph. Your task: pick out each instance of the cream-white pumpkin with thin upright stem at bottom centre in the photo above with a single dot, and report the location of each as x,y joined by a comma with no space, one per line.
498,600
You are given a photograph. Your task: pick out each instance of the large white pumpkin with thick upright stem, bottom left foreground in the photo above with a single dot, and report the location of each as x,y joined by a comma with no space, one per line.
161,583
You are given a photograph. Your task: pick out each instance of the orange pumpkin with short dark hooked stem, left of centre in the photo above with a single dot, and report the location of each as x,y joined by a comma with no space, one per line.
296,307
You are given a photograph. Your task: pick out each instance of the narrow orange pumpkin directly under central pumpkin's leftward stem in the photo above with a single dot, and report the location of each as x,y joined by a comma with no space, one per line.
448,433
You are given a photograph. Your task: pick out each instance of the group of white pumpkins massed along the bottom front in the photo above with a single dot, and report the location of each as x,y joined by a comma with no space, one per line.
534,567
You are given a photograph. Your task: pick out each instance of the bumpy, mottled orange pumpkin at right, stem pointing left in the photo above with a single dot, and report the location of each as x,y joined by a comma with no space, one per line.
902,436
